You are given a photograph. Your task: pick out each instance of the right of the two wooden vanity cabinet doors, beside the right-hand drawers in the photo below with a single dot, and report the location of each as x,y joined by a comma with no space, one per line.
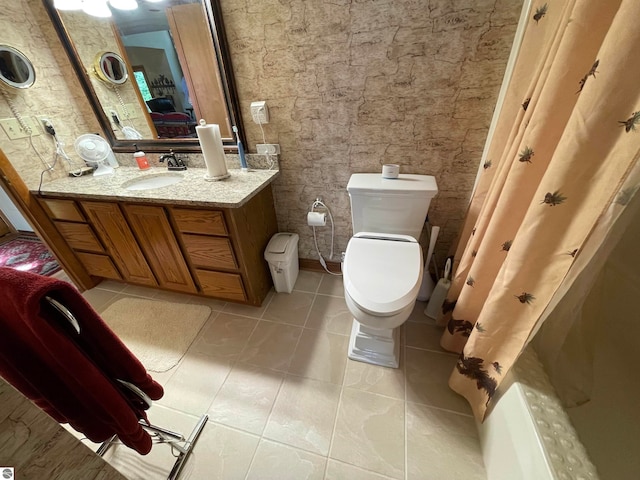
151,226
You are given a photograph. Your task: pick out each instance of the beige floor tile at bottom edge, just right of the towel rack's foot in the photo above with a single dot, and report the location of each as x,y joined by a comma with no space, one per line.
221,453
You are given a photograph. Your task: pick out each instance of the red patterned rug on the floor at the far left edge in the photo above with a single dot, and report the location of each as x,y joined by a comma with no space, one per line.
28,254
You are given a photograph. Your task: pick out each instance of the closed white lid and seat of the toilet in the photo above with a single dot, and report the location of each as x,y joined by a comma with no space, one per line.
382,273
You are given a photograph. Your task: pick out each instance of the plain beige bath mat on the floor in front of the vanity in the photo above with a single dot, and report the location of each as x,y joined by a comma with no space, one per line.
158,333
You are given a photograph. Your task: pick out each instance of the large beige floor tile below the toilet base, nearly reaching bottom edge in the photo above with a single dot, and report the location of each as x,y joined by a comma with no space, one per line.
370,432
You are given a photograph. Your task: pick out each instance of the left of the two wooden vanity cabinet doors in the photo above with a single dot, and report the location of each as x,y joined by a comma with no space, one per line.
112,228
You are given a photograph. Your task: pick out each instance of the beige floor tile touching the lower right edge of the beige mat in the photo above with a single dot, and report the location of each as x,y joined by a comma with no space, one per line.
194,384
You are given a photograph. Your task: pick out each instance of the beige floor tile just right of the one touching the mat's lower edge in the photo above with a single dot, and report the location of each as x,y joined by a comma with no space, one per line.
246,398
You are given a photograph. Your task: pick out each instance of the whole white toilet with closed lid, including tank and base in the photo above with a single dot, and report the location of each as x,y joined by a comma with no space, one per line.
383,267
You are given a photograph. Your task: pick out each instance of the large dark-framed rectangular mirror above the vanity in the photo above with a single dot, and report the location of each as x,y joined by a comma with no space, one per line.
156,70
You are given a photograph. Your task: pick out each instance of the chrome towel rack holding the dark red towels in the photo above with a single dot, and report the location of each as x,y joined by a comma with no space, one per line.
158,434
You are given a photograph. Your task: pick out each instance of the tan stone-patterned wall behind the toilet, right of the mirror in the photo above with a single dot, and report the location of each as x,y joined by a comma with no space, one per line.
354,84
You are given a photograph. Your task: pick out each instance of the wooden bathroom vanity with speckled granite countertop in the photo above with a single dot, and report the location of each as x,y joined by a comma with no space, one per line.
197,237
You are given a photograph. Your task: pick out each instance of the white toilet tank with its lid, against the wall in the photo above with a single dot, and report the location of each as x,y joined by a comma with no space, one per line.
385,205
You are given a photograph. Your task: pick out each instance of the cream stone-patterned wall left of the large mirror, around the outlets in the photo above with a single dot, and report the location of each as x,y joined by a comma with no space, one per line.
56,94
